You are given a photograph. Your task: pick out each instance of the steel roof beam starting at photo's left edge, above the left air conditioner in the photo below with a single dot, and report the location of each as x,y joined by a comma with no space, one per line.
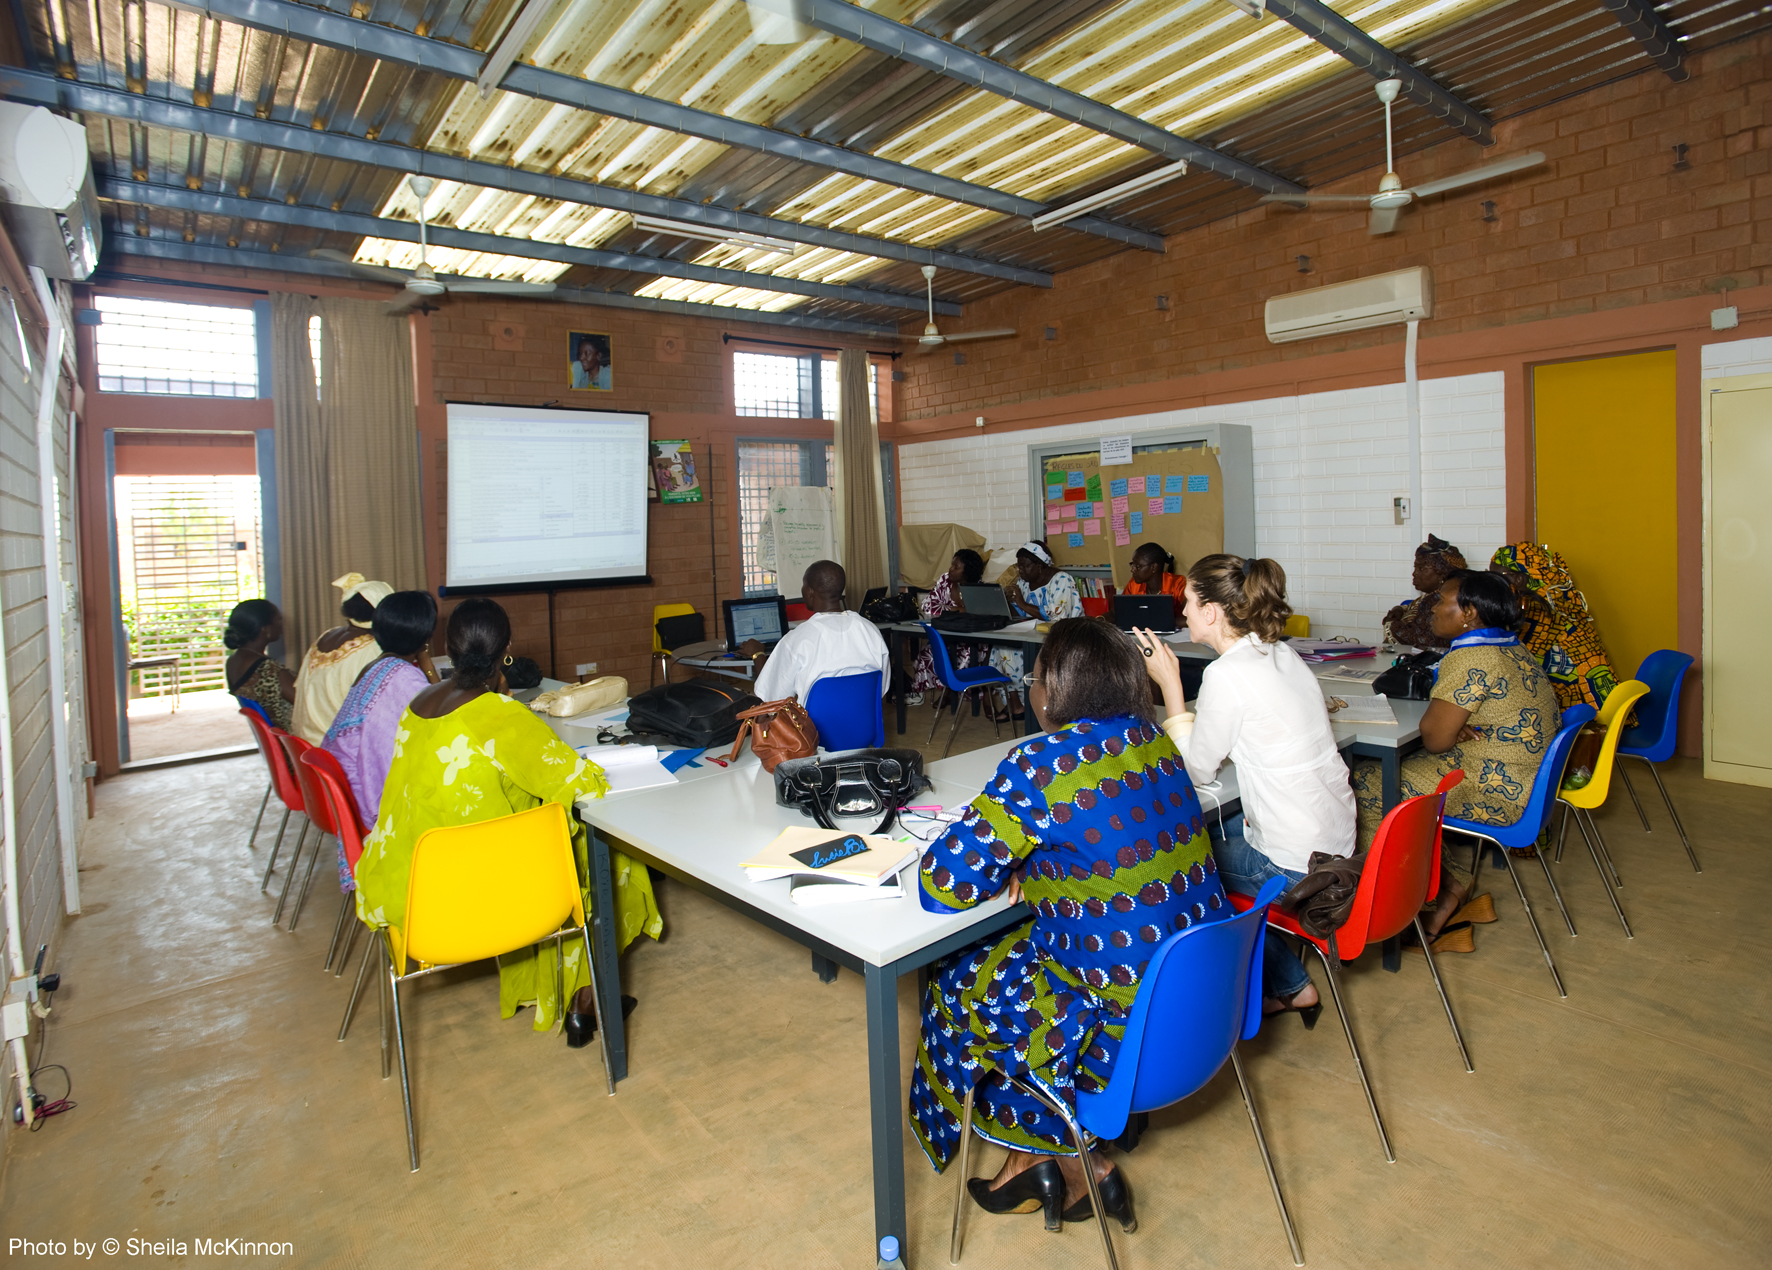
231,127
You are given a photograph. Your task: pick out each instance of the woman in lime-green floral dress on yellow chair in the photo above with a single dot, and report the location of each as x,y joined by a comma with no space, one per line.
467,754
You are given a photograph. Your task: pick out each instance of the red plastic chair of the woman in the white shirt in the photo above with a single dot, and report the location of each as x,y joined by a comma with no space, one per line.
1401,874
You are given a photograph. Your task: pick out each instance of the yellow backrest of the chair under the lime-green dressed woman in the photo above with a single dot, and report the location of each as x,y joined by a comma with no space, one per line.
490,888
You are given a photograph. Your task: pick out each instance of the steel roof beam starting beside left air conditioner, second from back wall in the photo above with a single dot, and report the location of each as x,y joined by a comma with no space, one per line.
330,222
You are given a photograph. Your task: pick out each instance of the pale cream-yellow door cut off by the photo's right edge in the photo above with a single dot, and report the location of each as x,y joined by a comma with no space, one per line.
1739,587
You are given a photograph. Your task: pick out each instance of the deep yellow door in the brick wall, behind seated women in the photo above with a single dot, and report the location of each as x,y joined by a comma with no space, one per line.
1605,493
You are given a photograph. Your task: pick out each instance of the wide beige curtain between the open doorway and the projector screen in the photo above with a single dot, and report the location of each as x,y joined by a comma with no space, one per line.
346,463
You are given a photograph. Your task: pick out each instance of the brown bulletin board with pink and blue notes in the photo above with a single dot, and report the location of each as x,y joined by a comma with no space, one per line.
1190,493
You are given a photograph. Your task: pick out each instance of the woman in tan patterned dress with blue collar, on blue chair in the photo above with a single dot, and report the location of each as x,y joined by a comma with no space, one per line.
1493,715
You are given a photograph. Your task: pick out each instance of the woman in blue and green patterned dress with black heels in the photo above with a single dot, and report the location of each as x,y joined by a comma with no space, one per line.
1098,828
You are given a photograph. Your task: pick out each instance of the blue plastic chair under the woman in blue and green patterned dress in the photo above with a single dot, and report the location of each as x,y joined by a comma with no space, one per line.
1202,993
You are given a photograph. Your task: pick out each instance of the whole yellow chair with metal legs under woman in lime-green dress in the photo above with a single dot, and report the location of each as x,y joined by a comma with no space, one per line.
478,892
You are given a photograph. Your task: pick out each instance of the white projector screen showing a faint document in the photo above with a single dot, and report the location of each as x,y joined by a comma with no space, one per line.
545,497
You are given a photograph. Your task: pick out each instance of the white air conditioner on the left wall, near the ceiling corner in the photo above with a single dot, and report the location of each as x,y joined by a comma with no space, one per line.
47,178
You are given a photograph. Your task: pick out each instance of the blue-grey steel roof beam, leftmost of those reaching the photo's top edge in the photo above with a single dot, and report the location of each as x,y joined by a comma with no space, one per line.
392,45
